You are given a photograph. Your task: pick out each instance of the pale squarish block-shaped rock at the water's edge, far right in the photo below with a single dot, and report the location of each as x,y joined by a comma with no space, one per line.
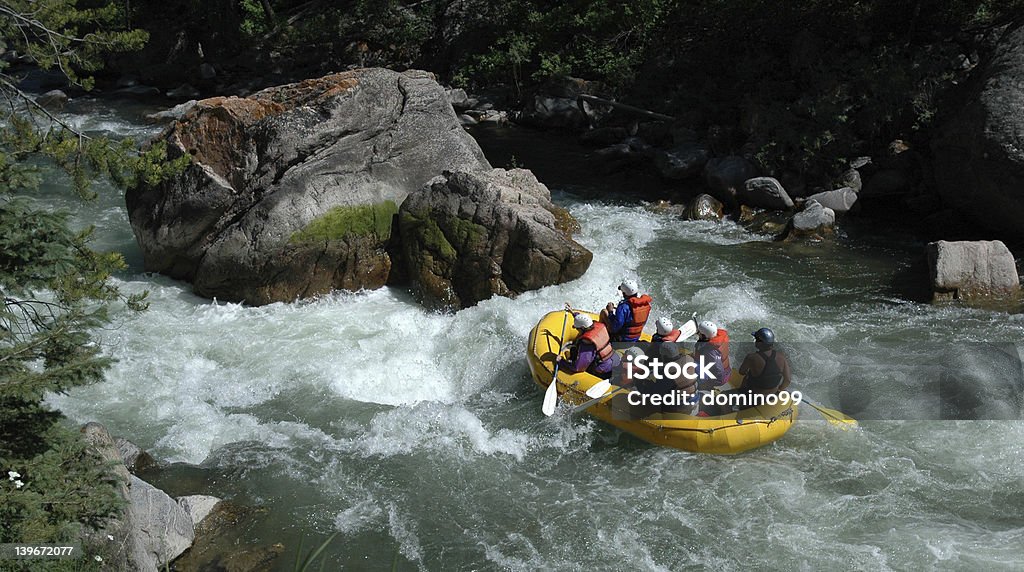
972,270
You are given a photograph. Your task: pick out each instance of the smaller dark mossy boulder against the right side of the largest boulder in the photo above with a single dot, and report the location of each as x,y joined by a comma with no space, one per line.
468,236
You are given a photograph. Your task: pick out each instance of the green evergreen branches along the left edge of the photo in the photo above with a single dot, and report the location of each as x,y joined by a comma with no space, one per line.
57,290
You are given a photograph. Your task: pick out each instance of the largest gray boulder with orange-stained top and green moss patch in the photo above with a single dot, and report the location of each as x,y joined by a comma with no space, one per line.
291,192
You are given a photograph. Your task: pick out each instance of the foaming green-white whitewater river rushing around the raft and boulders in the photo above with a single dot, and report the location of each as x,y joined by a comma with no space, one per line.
419,436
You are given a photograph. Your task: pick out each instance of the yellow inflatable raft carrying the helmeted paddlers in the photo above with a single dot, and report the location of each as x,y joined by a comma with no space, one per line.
729,434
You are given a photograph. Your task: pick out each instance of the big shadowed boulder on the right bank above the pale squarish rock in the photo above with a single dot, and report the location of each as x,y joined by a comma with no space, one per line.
979,154
